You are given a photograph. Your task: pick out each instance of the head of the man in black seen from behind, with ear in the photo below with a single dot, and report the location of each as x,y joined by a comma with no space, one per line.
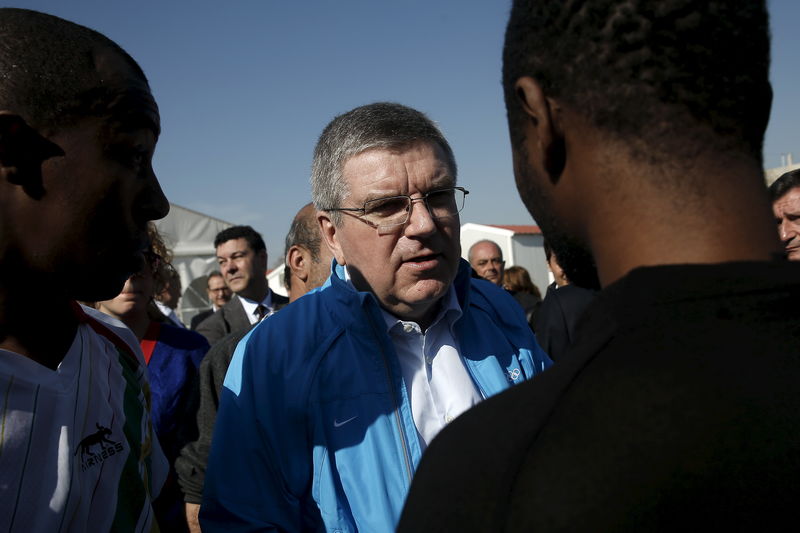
662,80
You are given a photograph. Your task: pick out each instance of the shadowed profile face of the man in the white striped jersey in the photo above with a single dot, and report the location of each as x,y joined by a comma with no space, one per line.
88,229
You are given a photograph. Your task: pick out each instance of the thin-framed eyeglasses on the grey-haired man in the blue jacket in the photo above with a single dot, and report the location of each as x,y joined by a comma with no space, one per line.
387,214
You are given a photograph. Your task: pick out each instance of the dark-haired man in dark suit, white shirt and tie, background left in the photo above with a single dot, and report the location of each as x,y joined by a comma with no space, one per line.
242,258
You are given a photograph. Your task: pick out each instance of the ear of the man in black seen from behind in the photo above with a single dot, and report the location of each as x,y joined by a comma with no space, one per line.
544,132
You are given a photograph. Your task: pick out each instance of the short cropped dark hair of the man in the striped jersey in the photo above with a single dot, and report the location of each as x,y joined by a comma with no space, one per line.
47,70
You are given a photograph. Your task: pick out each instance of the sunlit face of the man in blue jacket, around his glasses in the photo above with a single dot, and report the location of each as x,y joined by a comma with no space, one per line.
411,268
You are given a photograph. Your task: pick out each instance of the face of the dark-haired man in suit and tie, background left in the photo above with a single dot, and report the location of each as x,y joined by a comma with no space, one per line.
243,268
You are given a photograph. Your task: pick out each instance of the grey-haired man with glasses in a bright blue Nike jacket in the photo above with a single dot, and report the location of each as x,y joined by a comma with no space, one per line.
328,405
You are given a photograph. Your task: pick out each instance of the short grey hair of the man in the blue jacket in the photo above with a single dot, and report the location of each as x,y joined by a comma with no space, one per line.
380,125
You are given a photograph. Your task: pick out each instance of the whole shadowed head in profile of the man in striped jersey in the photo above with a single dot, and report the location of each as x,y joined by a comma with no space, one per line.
78,127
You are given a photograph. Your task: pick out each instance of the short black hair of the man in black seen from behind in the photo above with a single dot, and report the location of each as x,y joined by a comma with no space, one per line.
658,74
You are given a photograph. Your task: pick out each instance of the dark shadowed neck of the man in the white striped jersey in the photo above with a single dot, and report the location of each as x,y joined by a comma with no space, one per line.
22,317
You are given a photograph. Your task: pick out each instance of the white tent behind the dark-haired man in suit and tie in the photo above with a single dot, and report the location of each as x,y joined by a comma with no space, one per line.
190,236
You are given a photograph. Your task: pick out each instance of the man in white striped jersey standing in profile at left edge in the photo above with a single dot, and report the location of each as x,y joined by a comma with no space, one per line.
78,127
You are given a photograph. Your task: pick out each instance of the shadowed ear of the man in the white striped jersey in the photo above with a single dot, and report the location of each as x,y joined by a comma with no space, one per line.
22,152
